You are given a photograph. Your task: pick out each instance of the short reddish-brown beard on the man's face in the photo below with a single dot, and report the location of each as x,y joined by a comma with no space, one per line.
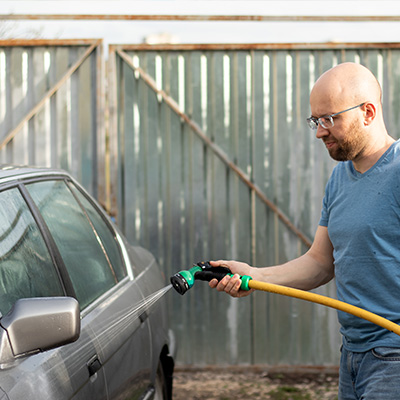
349,148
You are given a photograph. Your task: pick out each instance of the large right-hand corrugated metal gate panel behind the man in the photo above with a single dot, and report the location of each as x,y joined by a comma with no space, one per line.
179,194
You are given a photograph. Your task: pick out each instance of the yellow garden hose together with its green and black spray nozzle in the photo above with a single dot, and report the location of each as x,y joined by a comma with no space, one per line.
182,281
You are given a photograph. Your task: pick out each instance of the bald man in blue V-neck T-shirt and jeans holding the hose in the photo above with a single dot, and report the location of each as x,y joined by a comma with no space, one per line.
358,237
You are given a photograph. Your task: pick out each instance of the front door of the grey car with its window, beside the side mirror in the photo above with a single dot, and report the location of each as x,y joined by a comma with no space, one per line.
27,269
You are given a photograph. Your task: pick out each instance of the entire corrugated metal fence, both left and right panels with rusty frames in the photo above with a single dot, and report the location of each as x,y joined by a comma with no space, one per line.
209,157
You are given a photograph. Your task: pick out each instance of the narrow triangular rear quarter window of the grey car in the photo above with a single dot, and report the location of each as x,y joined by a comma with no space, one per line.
107,236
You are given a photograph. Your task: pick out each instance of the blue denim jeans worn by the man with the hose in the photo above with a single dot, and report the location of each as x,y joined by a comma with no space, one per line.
373,375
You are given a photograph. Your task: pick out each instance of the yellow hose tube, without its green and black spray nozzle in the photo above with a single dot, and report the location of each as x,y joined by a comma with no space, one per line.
325,301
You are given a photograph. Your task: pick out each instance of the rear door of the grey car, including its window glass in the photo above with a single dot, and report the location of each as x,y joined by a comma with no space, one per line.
109,298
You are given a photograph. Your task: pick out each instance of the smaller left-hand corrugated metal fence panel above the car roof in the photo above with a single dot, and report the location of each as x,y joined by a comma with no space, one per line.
50,112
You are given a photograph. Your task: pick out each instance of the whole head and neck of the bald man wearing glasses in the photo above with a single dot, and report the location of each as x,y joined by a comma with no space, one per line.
358,133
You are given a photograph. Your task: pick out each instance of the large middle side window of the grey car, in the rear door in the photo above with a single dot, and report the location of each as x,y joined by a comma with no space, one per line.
89,268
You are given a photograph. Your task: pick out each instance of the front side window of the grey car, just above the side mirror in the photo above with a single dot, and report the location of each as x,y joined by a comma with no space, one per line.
26,268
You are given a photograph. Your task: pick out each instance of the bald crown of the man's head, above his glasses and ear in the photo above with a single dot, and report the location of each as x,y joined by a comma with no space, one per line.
346,85
